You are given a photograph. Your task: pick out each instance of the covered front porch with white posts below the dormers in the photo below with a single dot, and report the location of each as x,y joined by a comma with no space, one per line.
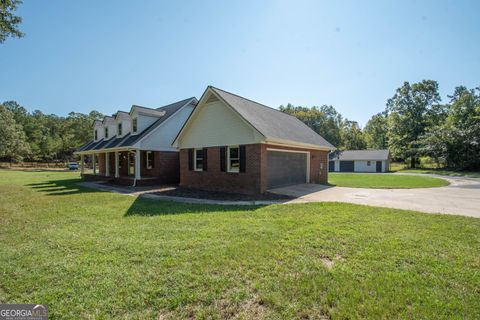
132,167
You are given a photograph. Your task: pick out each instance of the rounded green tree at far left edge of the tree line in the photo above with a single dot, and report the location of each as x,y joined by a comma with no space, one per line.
13,142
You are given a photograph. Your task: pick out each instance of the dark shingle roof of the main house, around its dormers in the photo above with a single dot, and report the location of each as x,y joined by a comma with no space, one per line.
130,140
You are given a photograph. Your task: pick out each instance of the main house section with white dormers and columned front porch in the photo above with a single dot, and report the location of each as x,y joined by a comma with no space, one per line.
134,148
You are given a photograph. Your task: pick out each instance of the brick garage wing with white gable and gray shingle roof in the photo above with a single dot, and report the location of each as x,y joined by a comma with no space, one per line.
232,144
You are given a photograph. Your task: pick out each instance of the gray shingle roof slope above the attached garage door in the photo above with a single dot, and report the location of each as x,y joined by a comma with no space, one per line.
272,123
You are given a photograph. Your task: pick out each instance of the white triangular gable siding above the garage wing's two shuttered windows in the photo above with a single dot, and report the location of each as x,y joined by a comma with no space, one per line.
216,124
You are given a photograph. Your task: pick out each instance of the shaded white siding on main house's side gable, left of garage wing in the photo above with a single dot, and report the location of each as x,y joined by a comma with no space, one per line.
161,139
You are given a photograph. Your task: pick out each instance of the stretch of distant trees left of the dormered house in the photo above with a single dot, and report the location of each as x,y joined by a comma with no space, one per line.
36,136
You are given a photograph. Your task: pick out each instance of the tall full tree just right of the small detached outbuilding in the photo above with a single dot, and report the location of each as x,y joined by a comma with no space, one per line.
407,118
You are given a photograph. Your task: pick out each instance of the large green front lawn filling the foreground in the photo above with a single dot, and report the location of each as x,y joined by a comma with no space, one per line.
90,254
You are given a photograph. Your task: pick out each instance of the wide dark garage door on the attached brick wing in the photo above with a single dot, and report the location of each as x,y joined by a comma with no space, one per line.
286,168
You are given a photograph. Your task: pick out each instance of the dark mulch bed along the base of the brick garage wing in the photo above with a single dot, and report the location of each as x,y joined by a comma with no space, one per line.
212,195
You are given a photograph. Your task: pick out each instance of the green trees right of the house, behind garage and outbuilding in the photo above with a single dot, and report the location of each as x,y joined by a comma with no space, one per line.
414,124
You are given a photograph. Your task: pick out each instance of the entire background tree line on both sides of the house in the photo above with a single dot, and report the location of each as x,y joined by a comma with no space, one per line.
413,125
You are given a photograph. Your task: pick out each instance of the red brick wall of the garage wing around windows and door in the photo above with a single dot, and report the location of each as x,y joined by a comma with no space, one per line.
254,179
